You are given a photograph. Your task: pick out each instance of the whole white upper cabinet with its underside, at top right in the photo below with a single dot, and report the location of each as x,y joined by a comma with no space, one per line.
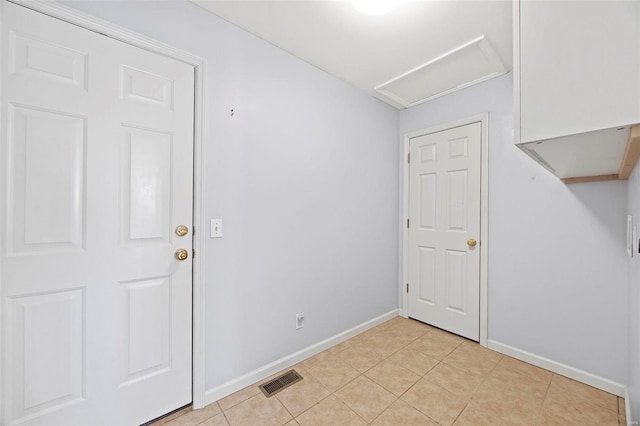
577,83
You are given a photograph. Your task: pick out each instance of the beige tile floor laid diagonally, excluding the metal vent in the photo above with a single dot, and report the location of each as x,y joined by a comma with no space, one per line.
404,373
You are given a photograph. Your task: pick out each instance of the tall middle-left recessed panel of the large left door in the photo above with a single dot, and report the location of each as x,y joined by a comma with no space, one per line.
47,174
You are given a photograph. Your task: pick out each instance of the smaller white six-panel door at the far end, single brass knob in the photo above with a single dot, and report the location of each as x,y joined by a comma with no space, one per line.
444,214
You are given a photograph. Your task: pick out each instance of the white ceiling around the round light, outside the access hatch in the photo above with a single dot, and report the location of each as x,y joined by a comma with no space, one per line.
368,51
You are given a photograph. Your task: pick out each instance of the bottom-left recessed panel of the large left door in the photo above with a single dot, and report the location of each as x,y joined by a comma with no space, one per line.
47,351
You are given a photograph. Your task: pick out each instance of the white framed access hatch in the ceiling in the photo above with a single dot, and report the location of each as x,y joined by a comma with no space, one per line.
469,64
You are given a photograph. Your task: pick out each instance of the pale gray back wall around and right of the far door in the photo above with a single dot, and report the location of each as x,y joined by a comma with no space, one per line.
557,267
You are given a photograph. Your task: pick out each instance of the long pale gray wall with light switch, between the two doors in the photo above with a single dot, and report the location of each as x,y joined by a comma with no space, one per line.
305,178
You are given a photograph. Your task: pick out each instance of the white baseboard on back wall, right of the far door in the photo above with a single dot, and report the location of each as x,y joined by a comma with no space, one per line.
562,369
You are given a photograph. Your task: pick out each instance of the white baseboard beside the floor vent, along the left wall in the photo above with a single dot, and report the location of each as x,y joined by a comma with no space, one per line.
265,371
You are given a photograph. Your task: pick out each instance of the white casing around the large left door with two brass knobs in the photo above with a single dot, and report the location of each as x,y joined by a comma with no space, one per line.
91,23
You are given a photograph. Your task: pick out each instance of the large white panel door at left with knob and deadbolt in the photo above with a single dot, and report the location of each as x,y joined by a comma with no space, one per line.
97,159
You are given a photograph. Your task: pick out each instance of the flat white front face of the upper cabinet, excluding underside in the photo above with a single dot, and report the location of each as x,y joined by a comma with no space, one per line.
579,64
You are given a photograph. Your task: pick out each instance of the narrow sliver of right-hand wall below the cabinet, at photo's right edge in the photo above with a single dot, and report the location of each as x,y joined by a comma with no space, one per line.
633,208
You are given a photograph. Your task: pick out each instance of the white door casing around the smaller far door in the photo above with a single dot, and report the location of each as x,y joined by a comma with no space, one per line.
483,119
